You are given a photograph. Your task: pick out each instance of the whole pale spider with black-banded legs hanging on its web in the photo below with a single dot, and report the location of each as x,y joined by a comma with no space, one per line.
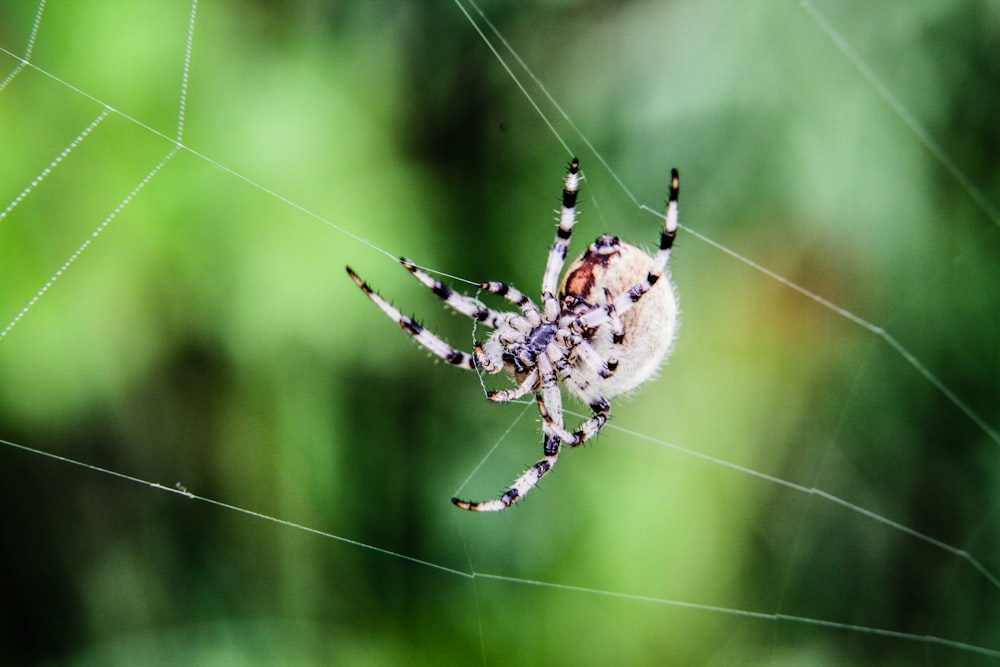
602,331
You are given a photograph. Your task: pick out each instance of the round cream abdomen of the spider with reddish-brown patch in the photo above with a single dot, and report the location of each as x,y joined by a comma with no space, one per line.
612,267
